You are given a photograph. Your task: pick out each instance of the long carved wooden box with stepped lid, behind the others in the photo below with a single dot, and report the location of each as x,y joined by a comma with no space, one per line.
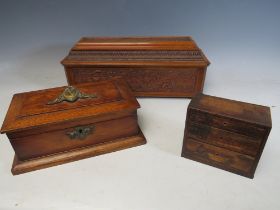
152,66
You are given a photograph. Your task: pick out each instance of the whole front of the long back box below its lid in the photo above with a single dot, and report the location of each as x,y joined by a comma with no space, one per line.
145,81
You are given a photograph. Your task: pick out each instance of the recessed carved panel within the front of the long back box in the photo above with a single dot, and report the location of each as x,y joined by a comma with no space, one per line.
143,80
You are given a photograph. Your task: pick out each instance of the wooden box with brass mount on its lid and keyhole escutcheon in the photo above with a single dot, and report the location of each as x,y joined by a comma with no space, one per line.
59,125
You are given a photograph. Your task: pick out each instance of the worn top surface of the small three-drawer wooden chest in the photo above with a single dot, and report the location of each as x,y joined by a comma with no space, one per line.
252,113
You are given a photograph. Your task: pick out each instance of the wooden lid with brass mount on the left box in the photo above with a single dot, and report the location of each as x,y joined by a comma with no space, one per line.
56,105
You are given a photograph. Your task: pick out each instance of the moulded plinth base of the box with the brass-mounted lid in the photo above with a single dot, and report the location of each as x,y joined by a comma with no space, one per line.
20,167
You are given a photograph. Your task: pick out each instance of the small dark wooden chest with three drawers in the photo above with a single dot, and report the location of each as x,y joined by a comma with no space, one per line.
226,134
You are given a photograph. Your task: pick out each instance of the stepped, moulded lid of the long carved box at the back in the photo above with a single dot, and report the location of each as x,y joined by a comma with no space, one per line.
173,50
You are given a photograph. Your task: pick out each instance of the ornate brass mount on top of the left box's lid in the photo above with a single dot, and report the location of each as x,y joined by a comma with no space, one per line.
71,94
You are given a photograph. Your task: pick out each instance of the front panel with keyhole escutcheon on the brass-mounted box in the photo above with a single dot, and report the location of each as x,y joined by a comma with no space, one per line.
32,146
